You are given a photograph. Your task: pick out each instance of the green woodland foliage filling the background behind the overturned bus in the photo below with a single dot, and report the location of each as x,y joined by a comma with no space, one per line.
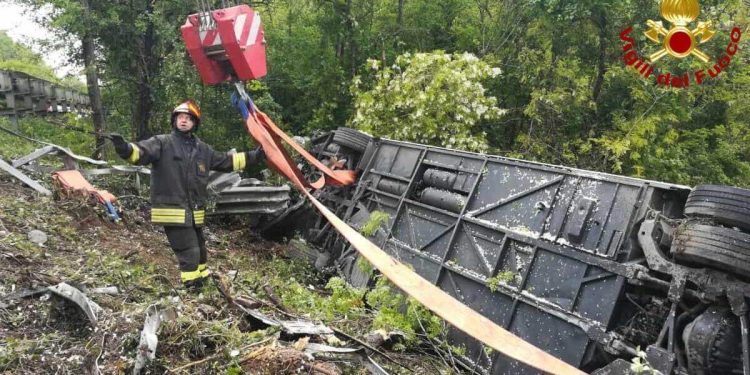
569,98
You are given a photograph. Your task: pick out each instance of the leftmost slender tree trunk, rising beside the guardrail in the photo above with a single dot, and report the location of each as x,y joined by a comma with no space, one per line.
92,83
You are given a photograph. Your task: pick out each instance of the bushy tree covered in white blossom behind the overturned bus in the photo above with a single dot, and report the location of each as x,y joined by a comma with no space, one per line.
433,98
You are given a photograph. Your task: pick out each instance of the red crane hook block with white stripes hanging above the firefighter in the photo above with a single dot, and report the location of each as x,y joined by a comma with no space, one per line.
226,44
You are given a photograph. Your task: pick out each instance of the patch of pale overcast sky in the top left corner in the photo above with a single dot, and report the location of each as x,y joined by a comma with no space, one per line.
22,28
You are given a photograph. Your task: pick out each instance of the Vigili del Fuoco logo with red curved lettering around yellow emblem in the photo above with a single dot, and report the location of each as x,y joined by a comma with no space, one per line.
680,40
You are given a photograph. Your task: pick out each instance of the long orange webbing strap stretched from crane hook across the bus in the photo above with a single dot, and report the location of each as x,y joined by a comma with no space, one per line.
429,295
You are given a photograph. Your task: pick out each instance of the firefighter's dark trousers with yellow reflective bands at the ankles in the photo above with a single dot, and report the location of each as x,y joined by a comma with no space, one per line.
189,245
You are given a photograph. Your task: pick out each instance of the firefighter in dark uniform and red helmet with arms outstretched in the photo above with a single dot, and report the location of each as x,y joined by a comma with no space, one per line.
180,163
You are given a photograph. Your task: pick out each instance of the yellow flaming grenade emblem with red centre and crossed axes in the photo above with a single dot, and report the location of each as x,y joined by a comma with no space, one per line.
679,41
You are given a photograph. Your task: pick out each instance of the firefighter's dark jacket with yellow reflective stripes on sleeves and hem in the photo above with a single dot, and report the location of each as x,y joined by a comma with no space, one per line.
180,163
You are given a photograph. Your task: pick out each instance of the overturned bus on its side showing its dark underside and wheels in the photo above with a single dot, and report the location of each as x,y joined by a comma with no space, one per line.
590,267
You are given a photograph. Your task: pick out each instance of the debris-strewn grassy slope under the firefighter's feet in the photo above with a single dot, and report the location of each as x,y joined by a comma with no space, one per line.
111,283
